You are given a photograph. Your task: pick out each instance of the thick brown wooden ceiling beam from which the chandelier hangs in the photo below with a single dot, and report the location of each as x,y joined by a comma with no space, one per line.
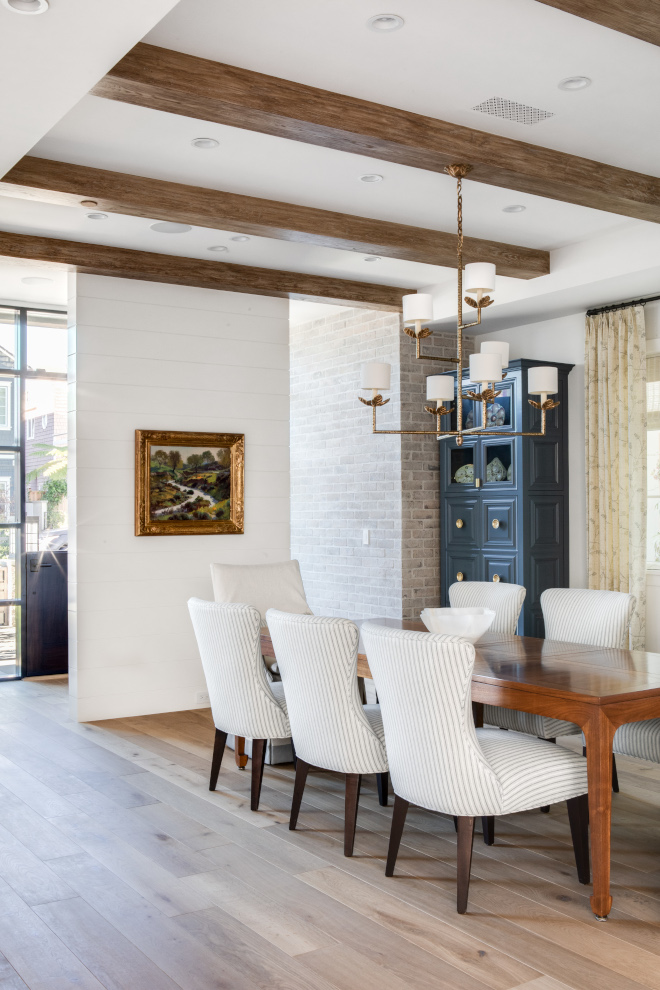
162,79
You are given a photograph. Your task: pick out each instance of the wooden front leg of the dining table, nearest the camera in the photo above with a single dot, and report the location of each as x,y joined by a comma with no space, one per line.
599,736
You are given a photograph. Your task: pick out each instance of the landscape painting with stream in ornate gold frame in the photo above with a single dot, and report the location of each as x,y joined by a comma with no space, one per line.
188,483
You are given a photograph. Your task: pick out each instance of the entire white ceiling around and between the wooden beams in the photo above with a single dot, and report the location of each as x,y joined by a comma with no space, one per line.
447,58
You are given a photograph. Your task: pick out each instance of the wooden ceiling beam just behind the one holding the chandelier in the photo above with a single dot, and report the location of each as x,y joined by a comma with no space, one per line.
116,192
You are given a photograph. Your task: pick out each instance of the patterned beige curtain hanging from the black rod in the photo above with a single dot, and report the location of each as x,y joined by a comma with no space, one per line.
615,387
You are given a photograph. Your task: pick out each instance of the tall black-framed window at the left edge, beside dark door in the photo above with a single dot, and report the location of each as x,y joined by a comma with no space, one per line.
33,459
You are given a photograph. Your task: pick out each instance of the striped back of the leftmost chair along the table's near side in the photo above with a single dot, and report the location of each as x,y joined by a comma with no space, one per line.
229,641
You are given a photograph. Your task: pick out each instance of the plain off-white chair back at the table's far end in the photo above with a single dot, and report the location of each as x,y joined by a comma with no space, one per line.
262,585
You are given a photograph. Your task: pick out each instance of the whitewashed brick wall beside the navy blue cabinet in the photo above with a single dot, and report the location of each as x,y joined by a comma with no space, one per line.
344,479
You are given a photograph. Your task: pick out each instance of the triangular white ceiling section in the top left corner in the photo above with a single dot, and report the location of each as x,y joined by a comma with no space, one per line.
50,61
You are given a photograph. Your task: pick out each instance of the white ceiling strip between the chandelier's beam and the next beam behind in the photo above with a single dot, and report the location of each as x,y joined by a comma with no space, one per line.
125,138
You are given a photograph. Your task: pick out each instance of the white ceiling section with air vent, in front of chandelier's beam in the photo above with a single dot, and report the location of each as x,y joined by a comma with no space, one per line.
447,58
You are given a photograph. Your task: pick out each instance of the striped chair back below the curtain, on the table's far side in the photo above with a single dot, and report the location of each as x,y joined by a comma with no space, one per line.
581,615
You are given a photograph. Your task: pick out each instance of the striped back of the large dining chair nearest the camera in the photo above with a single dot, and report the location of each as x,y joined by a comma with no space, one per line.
424,688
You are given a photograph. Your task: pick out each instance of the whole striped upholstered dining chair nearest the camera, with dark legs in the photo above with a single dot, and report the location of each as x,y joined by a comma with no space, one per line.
439,761
